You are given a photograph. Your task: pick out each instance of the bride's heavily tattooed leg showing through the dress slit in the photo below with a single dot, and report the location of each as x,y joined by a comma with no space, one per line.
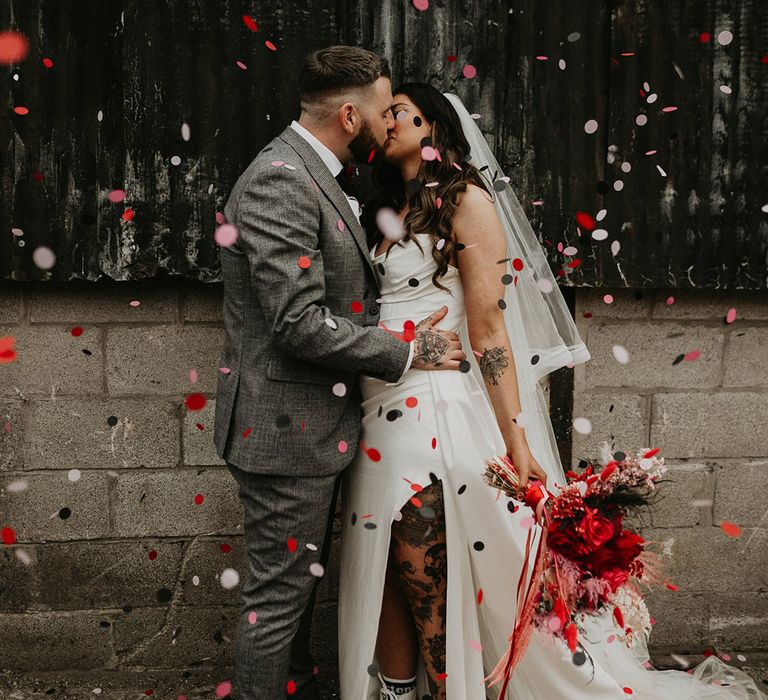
419,546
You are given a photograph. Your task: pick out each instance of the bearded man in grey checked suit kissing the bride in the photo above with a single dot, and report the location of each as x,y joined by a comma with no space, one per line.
300,324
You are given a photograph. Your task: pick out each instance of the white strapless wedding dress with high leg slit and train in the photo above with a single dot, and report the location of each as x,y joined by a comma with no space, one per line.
441,422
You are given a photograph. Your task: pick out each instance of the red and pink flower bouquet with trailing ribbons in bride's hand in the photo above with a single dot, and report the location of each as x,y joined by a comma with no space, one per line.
586,561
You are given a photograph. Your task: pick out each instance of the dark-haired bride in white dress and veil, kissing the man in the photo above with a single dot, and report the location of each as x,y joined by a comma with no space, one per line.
430,553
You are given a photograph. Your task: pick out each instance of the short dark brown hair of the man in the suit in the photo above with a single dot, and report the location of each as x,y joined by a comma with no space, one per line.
335,70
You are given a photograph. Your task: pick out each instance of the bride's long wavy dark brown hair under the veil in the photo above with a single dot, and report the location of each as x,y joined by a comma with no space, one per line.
423,215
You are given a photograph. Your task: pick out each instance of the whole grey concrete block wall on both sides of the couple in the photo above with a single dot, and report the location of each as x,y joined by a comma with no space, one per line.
116,567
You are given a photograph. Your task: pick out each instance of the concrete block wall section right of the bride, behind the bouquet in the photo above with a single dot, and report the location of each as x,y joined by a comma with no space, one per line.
709,416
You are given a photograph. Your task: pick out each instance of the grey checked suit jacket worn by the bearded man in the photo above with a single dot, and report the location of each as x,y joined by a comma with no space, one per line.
291,334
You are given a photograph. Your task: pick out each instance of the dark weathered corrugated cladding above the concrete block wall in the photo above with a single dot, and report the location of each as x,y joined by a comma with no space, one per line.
129,73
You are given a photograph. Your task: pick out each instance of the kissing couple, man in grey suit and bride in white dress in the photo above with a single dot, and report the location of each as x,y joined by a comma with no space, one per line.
389,350
